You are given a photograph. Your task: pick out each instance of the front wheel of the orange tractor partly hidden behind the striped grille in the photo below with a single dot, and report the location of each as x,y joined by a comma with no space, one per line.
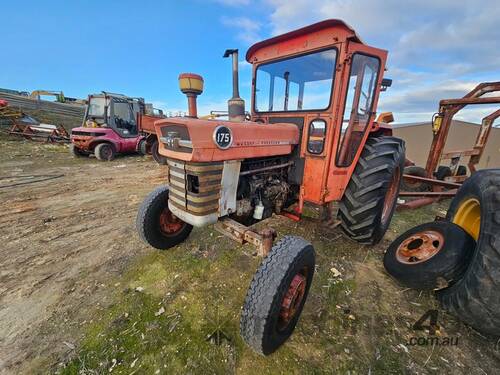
156,224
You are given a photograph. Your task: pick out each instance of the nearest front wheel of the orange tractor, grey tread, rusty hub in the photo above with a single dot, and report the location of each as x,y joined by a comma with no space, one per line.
277,295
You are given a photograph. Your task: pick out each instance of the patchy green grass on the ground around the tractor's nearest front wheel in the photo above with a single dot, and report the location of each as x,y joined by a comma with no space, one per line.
351,324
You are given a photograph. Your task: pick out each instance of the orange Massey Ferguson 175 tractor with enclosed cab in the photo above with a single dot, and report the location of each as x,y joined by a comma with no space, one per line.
312,138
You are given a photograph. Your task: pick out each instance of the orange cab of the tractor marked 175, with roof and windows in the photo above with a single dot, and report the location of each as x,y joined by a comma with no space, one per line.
326,81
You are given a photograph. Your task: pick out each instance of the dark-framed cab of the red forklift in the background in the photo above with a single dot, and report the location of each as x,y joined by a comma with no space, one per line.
114,111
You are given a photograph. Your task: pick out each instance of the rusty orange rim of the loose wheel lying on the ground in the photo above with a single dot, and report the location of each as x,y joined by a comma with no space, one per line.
420,247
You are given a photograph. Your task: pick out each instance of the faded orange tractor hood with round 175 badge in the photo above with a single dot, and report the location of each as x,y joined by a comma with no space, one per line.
199,140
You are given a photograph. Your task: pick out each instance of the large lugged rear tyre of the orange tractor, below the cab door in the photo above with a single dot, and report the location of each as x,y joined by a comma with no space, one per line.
370,198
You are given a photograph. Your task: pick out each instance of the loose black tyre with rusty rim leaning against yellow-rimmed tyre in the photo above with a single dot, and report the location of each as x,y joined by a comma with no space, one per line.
430,256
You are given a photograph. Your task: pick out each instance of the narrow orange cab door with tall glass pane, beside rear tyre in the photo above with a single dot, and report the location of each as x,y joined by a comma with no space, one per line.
362,75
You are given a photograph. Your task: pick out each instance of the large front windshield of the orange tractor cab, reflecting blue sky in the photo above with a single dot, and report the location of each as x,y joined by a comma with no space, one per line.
295,84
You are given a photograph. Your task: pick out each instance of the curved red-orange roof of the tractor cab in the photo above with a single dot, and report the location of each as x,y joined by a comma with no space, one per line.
316,27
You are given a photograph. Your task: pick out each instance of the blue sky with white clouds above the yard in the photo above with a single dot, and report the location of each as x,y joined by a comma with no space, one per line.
437,48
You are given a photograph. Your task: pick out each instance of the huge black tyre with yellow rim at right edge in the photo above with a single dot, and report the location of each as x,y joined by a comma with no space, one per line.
475,298
